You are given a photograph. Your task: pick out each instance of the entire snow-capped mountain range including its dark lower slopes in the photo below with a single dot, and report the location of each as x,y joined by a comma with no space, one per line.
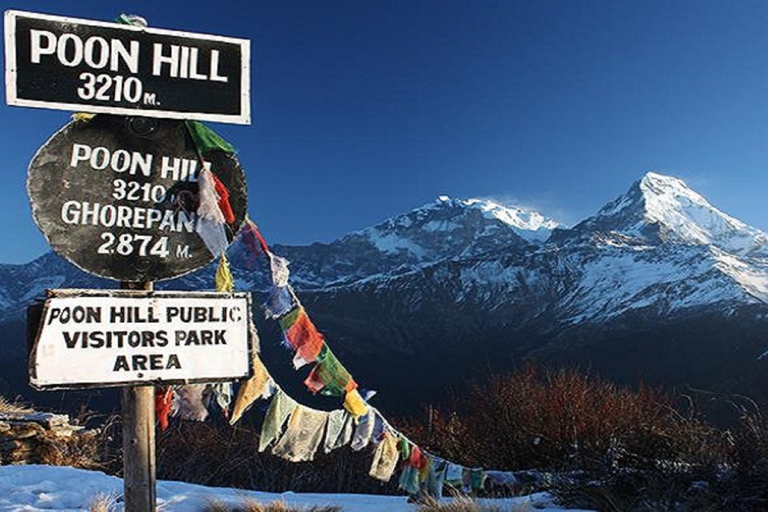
456,282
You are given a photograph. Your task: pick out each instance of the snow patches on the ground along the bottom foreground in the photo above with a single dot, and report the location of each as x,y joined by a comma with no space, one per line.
40,488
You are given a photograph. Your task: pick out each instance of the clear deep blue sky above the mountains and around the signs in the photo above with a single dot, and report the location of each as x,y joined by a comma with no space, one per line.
366,109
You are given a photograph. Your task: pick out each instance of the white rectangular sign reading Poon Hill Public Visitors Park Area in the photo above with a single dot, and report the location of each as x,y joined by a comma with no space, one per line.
90,338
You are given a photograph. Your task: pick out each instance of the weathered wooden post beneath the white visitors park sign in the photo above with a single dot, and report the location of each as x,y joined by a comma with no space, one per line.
139,468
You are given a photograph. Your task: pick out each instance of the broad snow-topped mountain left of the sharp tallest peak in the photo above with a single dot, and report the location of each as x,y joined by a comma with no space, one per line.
445,229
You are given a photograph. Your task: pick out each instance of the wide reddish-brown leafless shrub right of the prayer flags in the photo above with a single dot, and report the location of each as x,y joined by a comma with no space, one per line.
564,420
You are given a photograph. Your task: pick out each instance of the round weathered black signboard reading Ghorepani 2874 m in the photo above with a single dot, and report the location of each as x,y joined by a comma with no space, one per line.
119,197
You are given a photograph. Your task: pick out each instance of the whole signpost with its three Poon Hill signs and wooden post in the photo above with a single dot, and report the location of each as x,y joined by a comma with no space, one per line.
119,196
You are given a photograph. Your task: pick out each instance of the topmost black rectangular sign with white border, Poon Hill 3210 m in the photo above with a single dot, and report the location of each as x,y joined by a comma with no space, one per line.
92,66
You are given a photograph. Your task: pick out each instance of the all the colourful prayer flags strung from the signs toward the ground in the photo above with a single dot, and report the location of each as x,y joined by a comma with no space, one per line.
298,431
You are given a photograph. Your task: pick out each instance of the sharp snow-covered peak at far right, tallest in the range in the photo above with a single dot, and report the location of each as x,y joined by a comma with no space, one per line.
663,246
